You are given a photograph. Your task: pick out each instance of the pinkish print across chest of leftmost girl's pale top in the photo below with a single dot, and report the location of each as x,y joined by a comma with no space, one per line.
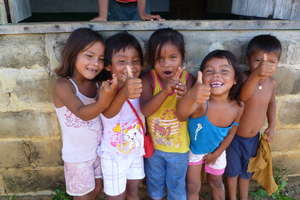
72,120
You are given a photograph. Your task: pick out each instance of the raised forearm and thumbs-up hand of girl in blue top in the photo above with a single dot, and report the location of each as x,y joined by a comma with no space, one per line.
194,98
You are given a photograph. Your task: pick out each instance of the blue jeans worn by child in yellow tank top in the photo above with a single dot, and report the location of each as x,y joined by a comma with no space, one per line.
166,174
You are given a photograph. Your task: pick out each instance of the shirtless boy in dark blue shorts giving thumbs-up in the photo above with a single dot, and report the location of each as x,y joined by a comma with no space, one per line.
258,94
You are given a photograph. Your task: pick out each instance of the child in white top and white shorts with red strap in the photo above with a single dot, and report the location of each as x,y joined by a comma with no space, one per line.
122,147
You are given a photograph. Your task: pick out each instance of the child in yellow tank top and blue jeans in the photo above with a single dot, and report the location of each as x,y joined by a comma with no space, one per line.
162,86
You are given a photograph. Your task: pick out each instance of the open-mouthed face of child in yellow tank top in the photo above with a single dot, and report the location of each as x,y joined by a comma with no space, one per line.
167,63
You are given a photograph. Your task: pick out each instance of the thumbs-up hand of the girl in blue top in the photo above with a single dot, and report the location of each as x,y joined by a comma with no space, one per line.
201,92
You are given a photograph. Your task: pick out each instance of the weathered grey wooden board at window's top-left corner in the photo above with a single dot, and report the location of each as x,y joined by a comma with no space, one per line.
19,10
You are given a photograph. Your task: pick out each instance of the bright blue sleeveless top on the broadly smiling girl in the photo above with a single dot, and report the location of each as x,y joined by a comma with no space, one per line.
205,136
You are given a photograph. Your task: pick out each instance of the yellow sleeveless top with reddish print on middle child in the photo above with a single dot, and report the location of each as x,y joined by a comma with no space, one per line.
167,132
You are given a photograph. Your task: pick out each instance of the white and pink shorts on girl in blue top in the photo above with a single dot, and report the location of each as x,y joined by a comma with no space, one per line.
216,168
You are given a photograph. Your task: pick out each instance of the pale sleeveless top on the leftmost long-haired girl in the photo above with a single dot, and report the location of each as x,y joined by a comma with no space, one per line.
80,138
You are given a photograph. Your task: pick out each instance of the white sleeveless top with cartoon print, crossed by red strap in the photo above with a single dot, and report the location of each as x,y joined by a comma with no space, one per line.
123,134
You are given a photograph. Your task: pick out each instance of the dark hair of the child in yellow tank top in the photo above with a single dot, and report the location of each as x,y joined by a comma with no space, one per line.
161,37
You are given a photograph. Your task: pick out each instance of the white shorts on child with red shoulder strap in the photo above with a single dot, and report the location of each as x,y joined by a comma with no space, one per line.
116,172
